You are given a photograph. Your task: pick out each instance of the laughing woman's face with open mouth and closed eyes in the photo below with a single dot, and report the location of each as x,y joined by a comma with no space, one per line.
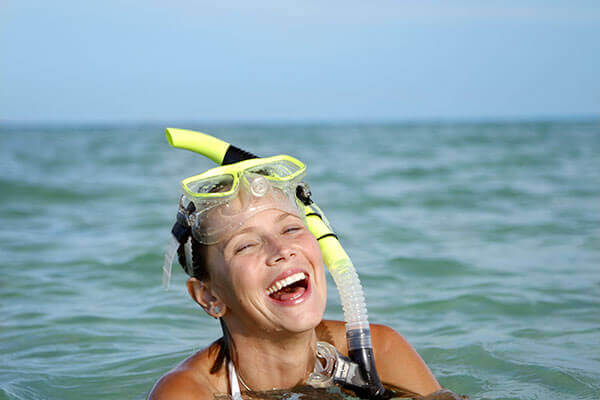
269,273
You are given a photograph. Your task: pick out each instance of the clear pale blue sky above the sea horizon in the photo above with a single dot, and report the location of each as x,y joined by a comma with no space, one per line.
268,60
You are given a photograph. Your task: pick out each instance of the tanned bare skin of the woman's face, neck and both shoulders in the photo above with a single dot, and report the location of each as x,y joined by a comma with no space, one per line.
275,335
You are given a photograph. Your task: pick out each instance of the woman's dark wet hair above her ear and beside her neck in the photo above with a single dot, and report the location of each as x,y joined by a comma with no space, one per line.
199,270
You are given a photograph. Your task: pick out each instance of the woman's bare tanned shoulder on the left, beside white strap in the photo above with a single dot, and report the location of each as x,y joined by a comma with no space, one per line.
191,379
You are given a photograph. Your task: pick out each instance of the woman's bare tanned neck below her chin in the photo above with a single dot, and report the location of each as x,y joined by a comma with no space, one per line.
269,363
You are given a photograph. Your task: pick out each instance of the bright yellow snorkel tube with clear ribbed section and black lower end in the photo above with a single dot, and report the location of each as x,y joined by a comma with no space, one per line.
359,373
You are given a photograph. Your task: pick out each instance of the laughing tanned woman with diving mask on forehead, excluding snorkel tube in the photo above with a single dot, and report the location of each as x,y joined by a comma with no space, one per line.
255,266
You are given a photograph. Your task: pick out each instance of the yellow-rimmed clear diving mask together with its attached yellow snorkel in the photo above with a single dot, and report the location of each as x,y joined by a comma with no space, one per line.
224,197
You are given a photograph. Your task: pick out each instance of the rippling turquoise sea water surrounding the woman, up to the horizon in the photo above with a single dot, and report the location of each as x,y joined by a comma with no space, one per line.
479,242
